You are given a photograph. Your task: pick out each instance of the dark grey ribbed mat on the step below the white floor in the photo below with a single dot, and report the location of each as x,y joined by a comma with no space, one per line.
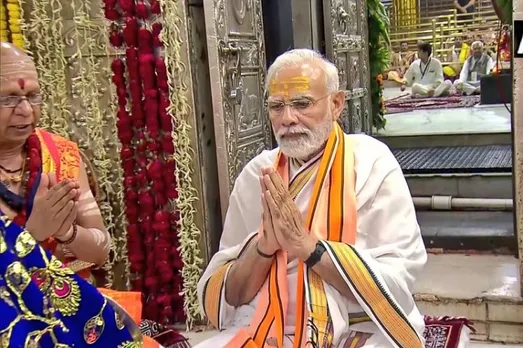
456,159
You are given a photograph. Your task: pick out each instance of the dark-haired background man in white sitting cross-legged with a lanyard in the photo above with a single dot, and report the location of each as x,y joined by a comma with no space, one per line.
425,74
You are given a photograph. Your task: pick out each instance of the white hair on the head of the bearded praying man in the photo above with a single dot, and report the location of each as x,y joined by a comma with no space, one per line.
296,57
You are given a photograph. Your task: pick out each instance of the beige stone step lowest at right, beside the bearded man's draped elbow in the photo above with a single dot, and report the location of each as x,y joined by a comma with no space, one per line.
484,288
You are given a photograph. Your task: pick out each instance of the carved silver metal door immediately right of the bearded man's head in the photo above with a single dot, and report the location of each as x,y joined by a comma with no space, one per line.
346,39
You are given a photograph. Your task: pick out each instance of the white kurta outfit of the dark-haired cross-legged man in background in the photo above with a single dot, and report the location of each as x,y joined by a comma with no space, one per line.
424,77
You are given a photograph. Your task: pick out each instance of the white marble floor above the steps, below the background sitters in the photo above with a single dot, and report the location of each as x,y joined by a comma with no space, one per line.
477,119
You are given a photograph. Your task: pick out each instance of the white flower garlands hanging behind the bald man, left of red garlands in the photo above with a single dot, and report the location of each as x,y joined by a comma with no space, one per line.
99,127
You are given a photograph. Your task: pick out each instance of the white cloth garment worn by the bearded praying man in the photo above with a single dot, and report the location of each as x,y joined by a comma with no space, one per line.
388,237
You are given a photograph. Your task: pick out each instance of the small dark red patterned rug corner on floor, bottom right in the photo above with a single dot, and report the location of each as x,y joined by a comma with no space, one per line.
446,332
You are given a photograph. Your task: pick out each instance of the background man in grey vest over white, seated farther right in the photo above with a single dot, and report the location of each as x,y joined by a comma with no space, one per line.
479,64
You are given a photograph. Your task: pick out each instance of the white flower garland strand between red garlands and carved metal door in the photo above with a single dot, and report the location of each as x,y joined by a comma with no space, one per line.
179,109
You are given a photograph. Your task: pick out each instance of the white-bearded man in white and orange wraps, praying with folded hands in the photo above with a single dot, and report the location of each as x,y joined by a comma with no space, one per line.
320,245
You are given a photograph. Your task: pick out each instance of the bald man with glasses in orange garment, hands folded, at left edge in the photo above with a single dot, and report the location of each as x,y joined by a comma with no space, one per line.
43,182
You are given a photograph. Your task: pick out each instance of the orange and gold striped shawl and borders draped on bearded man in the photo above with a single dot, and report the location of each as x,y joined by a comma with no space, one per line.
332,217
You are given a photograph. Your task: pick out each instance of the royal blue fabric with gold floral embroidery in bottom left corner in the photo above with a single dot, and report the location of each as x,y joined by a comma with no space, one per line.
44,304
